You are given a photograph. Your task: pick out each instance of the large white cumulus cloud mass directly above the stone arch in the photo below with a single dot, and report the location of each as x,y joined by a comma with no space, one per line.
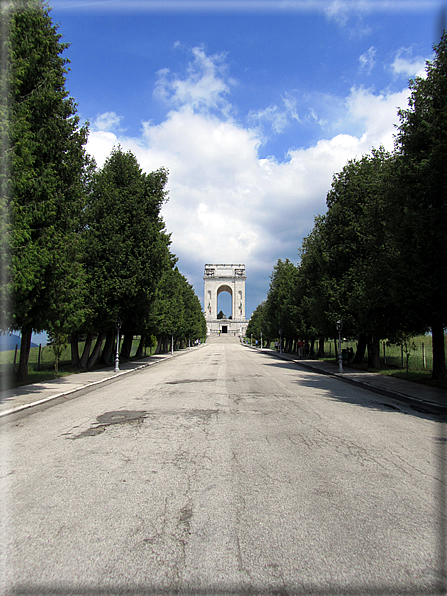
226,203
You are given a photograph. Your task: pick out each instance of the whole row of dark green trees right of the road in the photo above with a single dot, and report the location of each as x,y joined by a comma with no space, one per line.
377,258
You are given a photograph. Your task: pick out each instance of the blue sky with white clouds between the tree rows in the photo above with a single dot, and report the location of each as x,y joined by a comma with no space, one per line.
252,106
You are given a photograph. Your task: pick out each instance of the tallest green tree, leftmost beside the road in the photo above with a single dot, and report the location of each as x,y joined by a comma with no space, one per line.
46,171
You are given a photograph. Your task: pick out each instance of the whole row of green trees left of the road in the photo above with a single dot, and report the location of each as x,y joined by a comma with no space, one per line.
81,247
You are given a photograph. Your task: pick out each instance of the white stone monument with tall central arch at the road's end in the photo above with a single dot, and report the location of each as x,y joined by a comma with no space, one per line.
220,278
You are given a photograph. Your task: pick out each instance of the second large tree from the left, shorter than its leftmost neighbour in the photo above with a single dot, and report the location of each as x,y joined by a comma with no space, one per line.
126,247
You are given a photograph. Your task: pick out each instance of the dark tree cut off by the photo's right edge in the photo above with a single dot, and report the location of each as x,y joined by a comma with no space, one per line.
420,203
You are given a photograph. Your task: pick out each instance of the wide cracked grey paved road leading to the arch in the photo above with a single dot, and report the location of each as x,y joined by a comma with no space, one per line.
222,471
